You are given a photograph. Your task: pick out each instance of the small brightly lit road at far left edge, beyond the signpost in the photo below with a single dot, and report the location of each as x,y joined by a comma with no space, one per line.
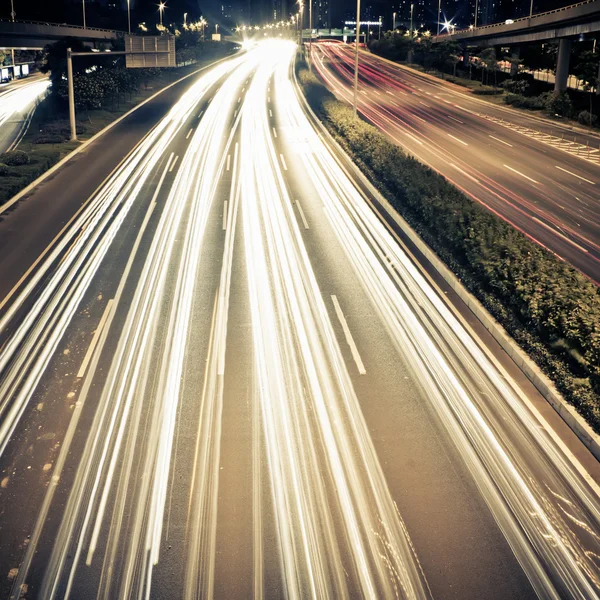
17,103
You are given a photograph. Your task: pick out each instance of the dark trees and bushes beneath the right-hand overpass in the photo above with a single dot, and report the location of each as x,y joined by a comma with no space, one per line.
480,72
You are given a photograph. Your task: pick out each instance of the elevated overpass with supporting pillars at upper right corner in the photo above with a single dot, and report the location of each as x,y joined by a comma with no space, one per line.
563,24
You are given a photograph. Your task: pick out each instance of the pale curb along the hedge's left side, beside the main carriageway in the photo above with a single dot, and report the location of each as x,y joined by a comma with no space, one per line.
541,382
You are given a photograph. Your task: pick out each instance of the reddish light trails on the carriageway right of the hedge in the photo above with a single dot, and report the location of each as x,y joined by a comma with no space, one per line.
334,63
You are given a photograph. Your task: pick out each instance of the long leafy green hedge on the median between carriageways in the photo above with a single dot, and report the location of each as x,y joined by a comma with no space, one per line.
549,308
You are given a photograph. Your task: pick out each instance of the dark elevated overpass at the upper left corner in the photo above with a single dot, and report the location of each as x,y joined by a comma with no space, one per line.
34,35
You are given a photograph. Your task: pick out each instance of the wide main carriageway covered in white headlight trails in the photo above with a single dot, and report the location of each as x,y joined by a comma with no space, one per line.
225,378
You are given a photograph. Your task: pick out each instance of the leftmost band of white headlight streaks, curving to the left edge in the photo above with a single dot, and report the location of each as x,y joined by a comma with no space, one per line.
25,356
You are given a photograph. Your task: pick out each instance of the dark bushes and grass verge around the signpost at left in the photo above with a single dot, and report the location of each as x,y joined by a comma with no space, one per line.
104,90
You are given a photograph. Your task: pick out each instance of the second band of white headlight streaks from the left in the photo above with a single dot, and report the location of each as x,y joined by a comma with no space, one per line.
130,386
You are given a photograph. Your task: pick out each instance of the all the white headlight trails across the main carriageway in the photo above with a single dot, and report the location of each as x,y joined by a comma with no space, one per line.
316,479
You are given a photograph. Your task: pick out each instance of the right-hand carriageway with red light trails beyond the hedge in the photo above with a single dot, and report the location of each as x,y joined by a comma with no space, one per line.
529,172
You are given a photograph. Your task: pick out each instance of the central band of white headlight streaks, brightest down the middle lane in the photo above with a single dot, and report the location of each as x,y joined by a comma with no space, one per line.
308,407
